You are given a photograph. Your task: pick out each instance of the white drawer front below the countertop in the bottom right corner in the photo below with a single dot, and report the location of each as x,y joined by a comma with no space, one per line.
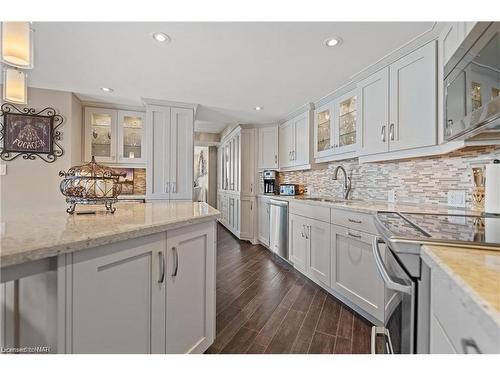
461,319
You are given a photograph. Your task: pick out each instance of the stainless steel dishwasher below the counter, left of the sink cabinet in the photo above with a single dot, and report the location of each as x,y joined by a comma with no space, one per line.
278,231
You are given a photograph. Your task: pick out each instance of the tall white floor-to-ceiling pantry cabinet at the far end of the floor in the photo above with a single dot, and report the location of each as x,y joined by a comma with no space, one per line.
236,182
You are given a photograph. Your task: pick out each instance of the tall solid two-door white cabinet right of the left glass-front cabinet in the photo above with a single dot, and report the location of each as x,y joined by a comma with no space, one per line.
170,153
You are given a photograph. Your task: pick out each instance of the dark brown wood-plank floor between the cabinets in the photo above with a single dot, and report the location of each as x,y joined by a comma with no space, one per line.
265,306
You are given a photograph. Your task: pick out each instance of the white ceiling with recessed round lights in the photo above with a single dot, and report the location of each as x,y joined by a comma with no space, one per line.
226,68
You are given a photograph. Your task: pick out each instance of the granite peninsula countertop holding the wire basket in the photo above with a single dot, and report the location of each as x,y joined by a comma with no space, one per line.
45,234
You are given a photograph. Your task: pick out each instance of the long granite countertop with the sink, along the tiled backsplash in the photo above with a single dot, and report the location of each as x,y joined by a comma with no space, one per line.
372,206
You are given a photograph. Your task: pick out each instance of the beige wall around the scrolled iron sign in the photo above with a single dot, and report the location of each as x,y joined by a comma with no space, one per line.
34,184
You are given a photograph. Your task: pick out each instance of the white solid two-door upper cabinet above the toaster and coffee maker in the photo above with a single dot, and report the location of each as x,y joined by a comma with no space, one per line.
294,142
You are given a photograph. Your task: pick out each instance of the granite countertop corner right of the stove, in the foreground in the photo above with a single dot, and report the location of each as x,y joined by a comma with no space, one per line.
475,272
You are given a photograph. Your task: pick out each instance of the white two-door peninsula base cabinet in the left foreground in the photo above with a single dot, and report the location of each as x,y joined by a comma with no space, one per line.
153,294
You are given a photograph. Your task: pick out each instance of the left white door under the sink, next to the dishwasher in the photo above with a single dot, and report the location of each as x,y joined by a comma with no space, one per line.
297,241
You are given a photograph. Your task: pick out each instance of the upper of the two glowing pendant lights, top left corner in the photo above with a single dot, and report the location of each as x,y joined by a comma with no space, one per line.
17,44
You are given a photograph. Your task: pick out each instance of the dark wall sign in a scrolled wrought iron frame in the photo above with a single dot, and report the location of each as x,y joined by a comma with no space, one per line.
30,134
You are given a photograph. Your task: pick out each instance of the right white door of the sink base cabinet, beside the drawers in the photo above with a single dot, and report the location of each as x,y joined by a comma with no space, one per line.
318,235
